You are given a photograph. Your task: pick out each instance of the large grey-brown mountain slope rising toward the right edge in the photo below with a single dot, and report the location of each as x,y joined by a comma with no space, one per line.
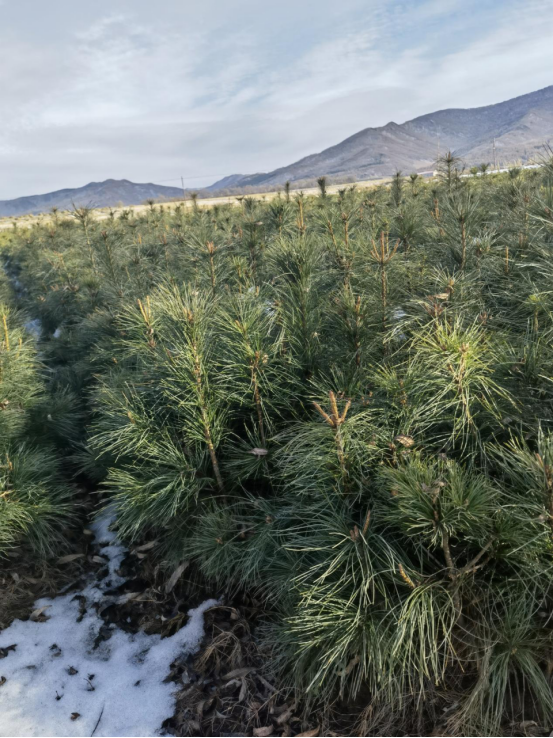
519,126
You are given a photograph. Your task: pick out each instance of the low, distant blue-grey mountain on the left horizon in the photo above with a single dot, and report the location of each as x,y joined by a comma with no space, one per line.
94,195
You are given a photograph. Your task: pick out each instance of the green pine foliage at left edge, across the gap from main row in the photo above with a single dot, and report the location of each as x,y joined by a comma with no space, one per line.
35,502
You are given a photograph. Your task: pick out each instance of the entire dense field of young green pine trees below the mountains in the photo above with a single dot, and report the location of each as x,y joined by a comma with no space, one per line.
341,404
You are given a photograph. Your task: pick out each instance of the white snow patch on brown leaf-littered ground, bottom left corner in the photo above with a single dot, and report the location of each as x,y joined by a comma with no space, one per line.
61,679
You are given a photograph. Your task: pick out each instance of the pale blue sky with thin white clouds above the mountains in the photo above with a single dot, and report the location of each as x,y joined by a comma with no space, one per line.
152,90
